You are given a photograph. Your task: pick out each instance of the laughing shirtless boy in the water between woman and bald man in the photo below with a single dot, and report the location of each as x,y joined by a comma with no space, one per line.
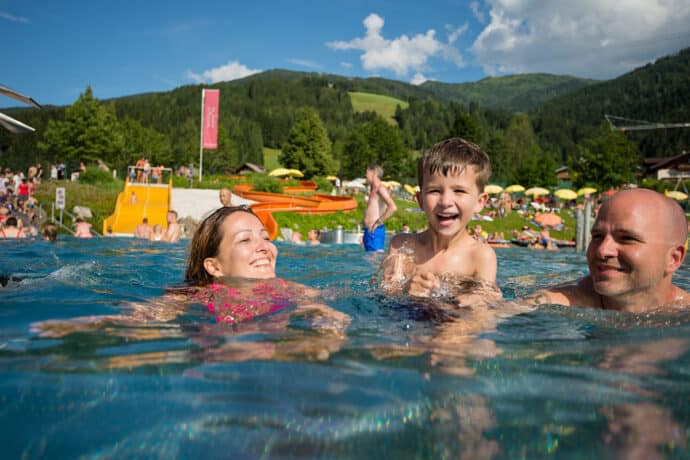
452,175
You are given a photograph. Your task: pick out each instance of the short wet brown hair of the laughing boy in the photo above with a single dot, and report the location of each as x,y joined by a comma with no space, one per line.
452,156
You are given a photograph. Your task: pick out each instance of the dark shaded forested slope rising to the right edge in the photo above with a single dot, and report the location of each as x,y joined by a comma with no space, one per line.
657,93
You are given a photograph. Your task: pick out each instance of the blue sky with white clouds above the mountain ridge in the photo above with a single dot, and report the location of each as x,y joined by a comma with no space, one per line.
54,49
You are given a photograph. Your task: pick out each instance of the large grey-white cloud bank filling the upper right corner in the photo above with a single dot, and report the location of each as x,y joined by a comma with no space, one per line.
586,38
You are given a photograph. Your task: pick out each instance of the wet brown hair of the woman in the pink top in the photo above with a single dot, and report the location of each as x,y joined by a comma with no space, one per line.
206,242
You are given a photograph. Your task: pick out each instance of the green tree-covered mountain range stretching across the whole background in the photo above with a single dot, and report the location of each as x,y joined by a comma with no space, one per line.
264,110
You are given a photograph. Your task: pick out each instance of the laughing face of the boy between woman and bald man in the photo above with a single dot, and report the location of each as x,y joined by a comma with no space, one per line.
450,201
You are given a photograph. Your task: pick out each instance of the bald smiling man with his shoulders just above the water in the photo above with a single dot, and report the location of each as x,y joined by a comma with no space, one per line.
638,242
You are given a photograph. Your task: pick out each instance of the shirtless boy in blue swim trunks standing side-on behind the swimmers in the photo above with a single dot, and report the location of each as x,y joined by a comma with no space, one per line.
380,206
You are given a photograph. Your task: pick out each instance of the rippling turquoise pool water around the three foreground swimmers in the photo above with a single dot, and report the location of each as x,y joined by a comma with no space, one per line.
551,383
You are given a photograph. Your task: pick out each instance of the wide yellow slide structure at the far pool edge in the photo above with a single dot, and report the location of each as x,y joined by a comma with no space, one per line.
137,201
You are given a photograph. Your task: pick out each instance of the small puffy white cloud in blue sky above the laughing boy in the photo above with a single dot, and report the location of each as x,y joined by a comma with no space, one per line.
402,54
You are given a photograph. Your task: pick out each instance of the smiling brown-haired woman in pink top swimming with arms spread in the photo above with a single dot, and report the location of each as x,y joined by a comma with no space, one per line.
231,271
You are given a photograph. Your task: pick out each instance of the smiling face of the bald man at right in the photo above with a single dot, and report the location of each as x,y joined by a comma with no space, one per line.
628,254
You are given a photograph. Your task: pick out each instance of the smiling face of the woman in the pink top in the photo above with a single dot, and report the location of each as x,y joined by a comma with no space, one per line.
245,251
